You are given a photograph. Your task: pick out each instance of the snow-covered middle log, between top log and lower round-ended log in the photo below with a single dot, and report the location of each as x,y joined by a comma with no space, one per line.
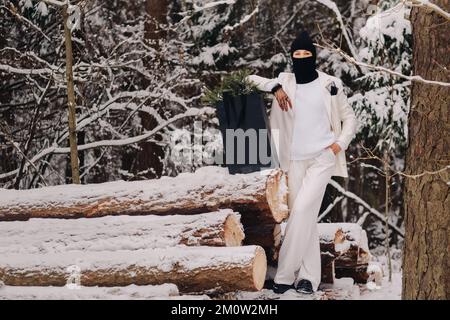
221,228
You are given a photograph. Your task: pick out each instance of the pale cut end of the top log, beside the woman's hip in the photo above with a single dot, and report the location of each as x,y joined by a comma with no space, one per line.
276,193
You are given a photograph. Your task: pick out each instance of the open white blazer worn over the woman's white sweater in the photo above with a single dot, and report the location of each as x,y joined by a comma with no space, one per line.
282,122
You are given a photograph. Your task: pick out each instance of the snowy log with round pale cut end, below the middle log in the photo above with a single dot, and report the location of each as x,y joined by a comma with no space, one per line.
192,269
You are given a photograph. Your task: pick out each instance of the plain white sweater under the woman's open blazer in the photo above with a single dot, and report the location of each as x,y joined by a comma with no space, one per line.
312,129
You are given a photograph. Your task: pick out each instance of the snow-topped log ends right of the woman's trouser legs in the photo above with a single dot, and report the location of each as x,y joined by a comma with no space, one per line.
344,251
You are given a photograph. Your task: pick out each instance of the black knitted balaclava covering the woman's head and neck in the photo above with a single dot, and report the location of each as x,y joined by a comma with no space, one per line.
304,68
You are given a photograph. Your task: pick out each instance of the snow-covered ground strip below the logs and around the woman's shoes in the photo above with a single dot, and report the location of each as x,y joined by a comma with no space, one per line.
342,289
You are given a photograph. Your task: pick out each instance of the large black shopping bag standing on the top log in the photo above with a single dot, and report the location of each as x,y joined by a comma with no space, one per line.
245,131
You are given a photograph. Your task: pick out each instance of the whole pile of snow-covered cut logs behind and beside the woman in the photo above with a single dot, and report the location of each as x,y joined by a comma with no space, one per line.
206,231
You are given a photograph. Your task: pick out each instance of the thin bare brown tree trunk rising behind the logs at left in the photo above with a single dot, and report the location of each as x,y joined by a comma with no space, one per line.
71,101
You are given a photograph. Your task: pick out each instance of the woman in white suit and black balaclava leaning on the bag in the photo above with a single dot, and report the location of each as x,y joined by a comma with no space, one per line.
312,125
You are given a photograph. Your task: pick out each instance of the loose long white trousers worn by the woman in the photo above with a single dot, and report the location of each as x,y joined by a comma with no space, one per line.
299,256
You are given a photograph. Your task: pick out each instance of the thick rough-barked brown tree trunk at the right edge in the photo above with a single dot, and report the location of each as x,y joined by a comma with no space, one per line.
426,272
